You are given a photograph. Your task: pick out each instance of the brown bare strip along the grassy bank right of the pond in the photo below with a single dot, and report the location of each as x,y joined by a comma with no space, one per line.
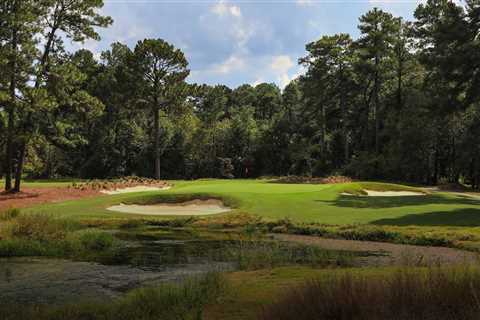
388,254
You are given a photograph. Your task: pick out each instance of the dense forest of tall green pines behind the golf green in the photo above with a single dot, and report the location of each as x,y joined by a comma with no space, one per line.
400,102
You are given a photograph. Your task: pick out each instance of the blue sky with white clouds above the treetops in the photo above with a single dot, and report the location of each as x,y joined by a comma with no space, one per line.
243,41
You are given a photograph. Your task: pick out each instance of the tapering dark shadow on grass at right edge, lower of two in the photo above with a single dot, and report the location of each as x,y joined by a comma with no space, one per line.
456,218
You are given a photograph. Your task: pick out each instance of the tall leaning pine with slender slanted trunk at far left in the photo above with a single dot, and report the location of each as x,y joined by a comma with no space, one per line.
74,19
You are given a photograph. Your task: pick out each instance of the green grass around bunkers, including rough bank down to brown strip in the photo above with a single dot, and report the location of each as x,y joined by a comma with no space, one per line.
436,219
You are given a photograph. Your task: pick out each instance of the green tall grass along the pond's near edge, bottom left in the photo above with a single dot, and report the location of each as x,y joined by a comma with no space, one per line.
167,302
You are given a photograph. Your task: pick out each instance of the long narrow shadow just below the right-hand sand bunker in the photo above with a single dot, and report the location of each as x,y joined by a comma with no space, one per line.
392,202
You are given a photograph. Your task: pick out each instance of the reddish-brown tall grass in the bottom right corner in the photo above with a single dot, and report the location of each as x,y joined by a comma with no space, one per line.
411,294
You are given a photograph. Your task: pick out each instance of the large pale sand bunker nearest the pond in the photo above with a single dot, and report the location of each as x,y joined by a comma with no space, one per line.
189,208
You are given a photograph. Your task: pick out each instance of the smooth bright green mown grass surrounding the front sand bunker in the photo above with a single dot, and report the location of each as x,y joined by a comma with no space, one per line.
309,203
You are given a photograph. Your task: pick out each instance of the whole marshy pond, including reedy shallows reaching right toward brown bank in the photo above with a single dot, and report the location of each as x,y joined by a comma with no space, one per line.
147,257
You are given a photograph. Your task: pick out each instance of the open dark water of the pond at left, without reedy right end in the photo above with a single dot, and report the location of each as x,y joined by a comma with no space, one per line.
141,261
